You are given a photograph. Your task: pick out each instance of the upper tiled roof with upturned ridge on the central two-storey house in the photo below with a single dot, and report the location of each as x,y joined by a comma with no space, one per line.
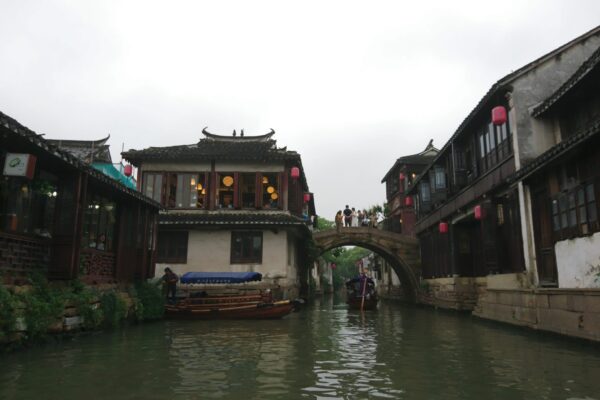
238,148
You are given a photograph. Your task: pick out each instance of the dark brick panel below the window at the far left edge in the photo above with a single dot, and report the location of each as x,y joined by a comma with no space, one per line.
20,256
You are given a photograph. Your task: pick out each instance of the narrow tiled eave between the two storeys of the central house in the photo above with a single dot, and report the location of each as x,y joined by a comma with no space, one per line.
240,218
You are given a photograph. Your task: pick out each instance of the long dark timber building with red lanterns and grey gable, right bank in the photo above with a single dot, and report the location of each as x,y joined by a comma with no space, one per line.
473,216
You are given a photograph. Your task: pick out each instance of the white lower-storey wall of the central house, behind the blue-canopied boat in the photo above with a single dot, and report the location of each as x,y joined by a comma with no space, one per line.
211,252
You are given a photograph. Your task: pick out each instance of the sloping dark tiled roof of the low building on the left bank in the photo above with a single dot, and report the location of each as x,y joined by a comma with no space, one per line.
37,140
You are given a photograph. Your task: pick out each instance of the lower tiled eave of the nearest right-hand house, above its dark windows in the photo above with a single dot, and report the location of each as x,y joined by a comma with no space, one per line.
556,151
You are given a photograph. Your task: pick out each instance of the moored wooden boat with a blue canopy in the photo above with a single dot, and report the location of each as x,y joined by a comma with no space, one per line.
201,305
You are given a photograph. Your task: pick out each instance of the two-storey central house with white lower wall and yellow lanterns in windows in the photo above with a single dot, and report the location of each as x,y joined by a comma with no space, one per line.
232,204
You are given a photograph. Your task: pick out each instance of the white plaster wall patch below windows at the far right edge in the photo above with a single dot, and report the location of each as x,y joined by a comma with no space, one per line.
578,262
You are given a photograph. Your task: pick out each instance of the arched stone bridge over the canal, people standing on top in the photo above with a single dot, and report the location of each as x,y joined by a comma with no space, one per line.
400,251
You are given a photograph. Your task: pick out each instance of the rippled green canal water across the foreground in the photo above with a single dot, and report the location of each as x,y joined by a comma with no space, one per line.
324,351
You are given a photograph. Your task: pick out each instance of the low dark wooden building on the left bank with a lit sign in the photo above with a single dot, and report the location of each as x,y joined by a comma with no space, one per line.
64,218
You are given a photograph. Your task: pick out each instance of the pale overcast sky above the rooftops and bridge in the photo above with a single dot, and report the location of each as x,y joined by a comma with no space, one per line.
350,85
